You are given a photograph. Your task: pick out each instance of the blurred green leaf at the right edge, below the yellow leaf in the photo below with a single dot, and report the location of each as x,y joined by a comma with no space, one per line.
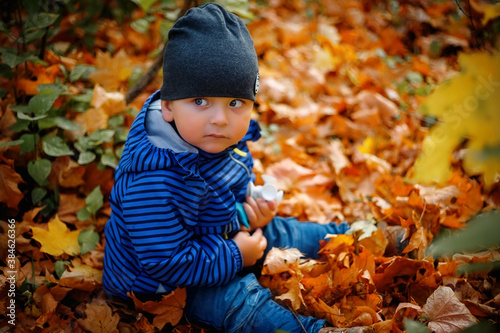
480,233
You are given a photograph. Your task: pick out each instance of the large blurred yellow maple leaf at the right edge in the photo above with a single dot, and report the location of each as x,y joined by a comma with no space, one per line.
467,108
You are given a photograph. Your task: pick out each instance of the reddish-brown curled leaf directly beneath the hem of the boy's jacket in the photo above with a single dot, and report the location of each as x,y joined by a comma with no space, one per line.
168,310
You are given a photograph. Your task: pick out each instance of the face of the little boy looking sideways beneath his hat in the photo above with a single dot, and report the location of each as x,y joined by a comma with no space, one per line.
210,123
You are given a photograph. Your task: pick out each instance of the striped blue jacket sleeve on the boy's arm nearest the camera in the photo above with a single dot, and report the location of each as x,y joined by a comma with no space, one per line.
159,212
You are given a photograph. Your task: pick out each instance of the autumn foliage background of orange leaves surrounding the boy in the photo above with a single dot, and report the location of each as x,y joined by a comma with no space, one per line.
375,111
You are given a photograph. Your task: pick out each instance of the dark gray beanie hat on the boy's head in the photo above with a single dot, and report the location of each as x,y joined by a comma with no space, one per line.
209,53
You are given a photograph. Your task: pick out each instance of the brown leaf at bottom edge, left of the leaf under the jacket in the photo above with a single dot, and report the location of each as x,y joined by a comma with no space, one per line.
99,318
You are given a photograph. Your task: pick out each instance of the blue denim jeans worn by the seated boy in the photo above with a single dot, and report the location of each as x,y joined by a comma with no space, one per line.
244,305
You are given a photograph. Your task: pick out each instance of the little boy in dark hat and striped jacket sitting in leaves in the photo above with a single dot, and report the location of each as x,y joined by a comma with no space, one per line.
174,221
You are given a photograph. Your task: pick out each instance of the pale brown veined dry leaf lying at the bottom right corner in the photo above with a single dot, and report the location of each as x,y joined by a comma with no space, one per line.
446,313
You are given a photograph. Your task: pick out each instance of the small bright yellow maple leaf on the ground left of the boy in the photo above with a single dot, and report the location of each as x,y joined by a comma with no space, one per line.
57,240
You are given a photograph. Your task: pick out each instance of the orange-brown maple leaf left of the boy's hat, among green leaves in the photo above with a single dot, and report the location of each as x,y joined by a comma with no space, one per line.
112,71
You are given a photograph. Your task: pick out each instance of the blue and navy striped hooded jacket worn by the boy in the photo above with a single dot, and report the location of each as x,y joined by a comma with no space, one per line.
172,213
